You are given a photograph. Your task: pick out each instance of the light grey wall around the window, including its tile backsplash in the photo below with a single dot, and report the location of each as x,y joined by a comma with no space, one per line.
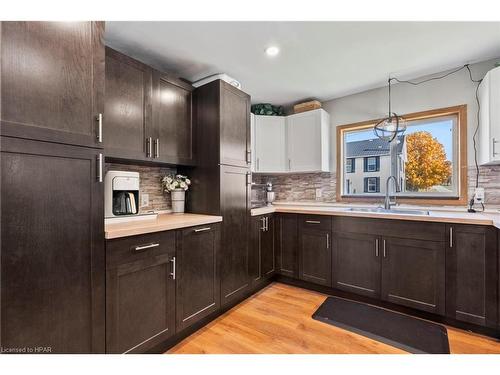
454,90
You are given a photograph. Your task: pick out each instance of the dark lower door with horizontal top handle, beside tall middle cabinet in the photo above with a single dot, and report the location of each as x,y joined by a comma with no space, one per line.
198,282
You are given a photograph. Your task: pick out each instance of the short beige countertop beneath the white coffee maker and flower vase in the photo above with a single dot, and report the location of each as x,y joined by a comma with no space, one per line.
157,224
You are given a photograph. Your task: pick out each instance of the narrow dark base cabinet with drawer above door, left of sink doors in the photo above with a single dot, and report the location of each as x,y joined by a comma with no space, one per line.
315,249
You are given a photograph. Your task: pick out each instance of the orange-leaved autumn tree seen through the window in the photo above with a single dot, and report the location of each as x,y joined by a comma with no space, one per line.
426,165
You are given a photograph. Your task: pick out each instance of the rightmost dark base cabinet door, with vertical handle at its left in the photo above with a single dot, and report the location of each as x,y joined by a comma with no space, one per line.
471,274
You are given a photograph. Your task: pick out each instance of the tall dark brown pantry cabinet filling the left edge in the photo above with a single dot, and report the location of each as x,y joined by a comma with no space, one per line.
52,235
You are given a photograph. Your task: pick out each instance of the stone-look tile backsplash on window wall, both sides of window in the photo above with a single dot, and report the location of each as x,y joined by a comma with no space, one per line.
302,187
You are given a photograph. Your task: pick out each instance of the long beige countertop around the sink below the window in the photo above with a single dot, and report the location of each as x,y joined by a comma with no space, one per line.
436,214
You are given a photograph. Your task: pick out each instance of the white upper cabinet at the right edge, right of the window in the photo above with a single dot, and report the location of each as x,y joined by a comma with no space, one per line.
489,118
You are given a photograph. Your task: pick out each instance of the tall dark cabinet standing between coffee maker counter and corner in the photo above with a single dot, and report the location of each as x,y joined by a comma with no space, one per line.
221,181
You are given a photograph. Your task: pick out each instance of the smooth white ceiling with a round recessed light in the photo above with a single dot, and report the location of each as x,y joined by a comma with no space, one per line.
320,60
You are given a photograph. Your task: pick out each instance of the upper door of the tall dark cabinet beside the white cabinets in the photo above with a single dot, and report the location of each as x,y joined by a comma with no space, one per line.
234,126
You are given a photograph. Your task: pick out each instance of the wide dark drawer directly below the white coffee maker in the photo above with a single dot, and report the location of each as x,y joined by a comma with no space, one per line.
130,249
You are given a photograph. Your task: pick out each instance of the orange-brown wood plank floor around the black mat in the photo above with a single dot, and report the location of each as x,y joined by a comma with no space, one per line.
278,320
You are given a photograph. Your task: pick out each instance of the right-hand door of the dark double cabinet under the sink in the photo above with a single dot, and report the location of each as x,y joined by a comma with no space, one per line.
413,273
